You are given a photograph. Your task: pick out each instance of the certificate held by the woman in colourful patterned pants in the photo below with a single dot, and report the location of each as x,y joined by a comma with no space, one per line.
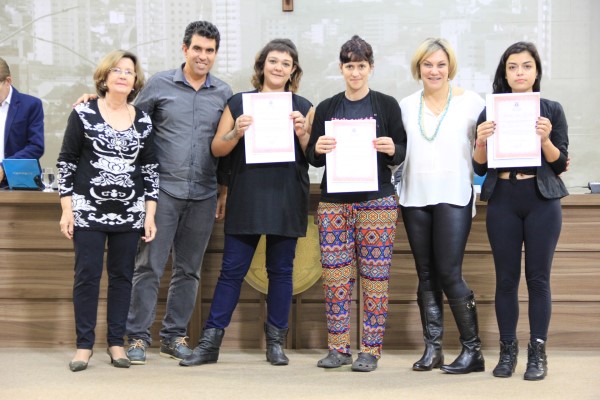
352,165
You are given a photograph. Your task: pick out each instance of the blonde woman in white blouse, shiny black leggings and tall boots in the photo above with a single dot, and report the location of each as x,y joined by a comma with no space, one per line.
437,201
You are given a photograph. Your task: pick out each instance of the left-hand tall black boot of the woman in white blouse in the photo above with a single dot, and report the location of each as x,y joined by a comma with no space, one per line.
431,306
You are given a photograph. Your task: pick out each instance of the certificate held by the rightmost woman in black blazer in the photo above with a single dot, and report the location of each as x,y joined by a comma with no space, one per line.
515,142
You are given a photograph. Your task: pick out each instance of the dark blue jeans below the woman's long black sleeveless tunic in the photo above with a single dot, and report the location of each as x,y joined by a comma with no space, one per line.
237,257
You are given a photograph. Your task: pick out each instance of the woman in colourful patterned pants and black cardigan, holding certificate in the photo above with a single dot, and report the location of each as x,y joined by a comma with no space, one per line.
357,229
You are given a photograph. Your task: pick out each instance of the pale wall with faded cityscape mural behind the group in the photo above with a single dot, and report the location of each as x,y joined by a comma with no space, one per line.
53,47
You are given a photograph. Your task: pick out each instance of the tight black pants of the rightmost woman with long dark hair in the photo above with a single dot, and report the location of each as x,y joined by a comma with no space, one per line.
517,214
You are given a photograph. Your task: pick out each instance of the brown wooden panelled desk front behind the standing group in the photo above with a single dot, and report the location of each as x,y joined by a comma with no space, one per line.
36,279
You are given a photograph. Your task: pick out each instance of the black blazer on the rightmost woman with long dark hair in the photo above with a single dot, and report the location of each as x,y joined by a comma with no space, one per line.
547,176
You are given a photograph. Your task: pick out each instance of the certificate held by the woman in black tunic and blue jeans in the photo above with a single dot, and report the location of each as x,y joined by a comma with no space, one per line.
270,138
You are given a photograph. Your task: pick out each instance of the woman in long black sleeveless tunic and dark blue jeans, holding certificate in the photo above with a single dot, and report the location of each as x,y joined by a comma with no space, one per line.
263,199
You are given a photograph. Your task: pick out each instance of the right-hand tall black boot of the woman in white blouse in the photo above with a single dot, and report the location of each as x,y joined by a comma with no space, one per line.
470,358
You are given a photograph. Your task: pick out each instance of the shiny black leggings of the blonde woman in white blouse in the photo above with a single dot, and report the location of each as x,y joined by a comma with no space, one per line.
437,235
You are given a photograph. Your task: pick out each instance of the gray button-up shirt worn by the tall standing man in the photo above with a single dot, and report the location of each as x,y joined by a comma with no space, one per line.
185,122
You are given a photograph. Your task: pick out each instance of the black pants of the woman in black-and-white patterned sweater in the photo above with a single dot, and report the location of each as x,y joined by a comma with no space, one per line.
89,256
